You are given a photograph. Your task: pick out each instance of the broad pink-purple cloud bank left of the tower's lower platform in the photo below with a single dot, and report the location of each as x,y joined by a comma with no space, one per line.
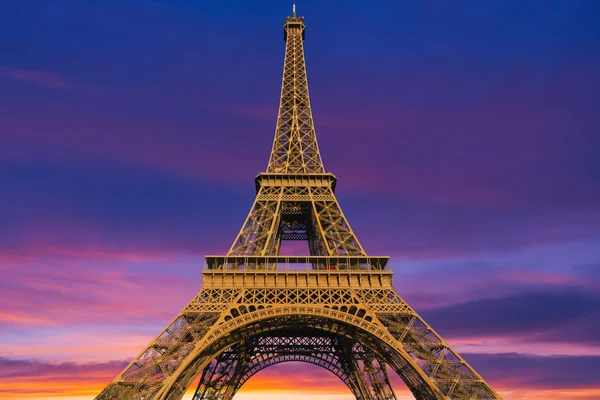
85,293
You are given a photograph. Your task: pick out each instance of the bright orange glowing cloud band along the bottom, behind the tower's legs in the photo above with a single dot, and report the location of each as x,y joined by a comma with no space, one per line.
35,380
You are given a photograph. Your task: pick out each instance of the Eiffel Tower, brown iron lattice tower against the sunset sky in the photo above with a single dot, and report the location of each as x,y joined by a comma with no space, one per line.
335,308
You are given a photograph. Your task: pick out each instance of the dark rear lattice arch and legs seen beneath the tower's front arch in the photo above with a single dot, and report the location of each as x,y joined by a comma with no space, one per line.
223,377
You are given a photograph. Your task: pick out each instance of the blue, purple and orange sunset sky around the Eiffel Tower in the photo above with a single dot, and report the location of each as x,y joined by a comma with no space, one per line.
465,136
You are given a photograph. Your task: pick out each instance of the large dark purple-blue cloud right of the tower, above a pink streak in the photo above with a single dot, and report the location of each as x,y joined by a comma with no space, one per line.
557,315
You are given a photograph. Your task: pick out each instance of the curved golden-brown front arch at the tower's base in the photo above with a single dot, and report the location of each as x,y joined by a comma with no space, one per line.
297,318
